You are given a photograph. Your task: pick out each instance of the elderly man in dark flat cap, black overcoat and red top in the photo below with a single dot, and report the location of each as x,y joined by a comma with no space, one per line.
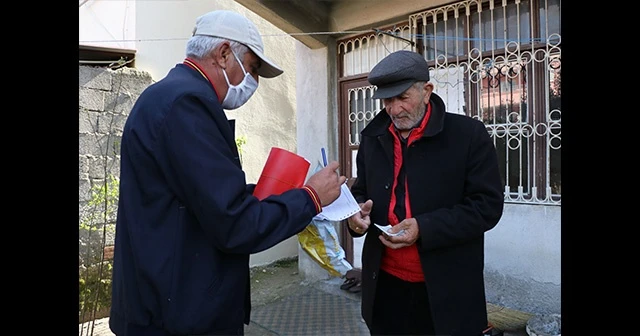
433,176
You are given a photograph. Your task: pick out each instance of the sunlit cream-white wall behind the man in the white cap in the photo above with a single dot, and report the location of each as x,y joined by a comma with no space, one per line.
161,30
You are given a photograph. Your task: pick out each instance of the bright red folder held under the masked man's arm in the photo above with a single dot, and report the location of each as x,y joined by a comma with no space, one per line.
283,171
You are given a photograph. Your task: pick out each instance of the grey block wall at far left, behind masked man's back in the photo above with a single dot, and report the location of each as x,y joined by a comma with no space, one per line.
105,99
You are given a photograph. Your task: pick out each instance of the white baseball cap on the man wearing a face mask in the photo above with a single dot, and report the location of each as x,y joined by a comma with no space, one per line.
233,26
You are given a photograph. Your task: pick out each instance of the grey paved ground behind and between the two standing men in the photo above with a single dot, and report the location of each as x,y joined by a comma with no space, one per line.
284,304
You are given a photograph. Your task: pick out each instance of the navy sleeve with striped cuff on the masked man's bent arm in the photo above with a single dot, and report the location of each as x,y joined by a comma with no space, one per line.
201,168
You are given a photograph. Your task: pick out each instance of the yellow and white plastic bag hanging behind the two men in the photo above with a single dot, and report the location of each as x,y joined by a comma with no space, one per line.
320,240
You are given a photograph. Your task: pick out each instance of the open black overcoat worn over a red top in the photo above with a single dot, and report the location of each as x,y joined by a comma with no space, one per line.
456,195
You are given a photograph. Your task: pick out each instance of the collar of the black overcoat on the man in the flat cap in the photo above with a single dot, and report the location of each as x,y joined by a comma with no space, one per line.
380,123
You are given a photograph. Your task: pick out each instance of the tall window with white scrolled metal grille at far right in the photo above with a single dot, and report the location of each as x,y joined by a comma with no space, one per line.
499,62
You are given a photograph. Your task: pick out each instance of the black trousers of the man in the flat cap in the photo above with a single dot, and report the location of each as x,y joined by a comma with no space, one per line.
401,308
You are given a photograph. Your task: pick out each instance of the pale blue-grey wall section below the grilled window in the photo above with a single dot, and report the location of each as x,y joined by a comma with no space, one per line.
523,259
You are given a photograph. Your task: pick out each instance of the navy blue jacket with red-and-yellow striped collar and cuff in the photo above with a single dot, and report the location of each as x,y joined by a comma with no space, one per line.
187,221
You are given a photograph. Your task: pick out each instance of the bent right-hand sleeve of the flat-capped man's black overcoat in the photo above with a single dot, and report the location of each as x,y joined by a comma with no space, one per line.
481,204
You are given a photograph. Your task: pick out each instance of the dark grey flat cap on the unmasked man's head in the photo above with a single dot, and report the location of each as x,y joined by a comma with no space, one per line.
395,73
